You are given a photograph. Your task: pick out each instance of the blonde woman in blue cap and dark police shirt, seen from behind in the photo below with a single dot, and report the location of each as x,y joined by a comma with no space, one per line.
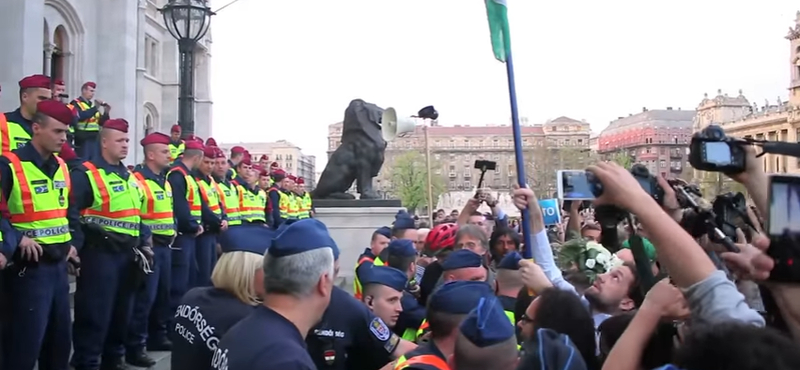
206,313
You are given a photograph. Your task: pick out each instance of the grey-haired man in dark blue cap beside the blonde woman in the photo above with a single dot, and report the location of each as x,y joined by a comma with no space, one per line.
299,272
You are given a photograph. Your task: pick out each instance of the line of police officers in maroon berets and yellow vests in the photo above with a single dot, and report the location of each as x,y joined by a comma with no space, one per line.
136,238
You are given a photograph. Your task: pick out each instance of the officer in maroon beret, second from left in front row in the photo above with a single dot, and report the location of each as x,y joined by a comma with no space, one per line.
107,229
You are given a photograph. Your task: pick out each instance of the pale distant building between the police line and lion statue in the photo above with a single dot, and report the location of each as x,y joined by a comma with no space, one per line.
289,156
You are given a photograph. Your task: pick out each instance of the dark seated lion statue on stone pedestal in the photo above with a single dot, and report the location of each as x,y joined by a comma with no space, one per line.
359,158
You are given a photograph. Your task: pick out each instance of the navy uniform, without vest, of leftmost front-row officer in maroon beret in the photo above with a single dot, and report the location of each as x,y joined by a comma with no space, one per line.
38,292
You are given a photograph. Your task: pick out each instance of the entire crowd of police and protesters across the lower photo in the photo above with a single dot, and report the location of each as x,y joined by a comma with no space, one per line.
187,252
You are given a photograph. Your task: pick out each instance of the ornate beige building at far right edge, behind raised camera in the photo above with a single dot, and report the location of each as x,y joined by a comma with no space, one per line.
778,120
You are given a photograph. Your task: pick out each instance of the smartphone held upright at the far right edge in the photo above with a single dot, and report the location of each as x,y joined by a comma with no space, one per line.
783,227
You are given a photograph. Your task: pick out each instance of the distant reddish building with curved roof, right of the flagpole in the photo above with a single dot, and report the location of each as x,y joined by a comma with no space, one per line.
658,139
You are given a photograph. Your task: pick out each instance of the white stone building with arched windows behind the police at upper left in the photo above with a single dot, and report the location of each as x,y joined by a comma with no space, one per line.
122,45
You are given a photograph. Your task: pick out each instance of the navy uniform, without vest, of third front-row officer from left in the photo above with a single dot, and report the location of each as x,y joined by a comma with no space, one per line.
151,314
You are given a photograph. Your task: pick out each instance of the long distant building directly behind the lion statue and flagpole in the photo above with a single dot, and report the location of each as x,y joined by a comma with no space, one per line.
559,143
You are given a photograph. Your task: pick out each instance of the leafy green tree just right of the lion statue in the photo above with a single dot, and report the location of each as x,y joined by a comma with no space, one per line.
409,179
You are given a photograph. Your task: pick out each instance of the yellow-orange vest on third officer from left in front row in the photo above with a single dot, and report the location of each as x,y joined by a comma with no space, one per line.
156,208
